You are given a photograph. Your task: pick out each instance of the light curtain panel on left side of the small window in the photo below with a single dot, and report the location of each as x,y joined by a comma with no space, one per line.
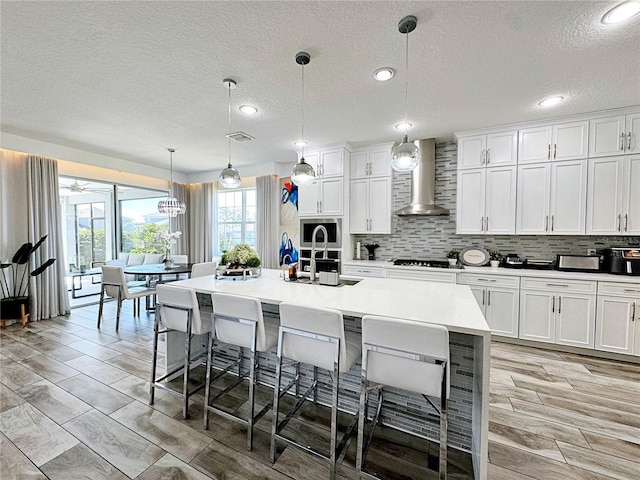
200,214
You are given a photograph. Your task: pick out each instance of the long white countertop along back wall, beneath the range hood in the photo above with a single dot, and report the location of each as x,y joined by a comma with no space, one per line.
516,272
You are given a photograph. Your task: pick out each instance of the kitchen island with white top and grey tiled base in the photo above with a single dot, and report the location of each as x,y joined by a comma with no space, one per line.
452,306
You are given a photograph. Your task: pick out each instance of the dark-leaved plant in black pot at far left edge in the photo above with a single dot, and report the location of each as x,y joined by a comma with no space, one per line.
14,303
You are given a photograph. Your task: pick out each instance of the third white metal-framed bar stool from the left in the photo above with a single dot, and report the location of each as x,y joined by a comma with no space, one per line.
314,336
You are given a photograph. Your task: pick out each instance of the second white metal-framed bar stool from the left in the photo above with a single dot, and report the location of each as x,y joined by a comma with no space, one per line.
238,321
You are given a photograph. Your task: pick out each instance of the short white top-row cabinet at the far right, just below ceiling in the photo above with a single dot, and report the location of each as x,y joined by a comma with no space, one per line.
614,135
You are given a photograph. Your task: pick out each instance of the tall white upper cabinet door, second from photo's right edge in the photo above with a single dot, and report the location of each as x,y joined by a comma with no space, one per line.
604,196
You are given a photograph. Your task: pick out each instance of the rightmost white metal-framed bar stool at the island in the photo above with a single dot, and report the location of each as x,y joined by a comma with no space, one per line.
408,355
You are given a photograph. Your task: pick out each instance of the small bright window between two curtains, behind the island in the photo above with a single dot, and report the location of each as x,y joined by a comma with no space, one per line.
236,218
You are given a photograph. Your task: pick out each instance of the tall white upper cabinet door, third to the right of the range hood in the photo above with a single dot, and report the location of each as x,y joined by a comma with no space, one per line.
532,208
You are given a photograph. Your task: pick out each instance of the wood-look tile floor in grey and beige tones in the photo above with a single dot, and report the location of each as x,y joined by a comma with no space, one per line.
74,404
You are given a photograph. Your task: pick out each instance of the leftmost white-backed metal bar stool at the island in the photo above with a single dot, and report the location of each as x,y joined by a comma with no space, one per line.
177,310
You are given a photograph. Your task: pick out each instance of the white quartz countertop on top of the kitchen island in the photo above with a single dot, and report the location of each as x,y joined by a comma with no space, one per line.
453,306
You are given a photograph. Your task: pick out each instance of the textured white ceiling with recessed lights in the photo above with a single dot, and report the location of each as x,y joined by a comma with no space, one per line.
128,79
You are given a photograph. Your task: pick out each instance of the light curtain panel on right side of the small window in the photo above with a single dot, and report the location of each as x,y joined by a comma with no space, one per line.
267,221
